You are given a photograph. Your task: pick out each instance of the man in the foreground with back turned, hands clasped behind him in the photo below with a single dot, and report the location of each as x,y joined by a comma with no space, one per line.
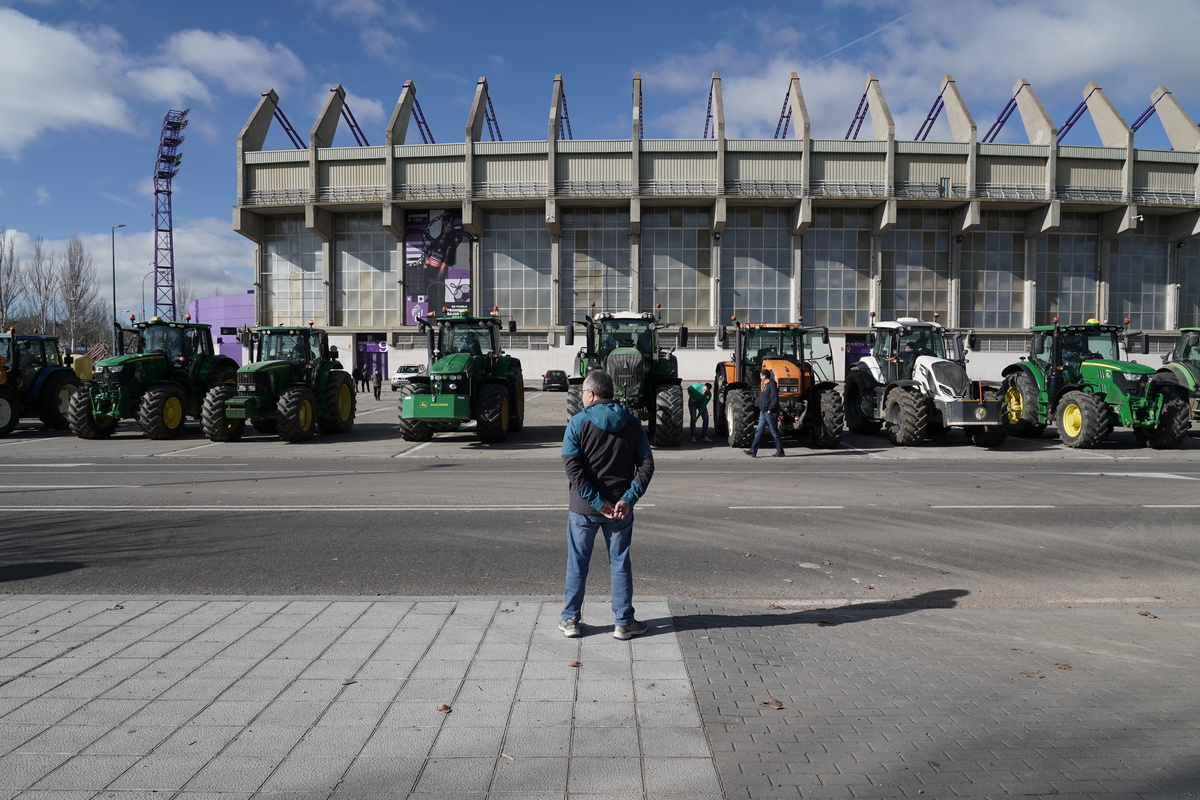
610,465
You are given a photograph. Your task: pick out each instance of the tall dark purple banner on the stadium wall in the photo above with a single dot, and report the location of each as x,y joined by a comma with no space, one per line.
437,264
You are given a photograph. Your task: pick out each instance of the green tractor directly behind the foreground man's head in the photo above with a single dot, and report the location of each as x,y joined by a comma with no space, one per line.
646,378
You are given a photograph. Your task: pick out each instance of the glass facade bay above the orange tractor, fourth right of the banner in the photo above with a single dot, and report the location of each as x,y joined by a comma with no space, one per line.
757,267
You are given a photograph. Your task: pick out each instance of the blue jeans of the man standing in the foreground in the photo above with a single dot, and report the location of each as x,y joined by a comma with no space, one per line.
581,536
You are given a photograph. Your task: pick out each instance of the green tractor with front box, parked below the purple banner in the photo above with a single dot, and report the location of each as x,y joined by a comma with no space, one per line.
470,378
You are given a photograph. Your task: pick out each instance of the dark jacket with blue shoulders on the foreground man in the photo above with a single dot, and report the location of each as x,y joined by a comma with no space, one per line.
608,458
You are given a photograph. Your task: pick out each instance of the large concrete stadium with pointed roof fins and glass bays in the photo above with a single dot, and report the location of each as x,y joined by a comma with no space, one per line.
992,237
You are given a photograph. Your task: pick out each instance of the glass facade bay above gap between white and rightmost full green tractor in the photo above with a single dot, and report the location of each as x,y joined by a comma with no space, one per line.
993,273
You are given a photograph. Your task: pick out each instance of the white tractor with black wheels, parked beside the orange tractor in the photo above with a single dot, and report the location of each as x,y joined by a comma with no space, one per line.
915,386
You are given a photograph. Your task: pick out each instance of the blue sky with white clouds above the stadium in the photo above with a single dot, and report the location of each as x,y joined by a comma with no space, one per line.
87,85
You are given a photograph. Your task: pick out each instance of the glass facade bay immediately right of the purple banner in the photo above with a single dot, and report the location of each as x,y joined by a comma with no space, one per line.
517,274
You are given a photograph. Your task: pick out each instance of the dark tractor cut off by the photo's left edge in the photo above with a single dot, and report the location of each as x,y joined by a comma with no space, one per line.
35,381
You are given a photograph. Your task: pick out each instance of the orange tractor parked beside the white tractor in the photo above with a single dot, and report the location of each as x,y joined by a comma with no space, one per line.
802,363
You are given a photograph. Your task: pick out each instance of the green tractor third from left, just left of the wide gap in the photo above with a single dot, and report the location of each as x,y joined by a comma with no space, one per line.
295,386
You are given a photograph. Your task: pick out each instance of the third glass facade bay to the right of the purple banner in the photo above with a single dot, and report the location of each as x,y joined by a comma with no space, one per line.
677,263
